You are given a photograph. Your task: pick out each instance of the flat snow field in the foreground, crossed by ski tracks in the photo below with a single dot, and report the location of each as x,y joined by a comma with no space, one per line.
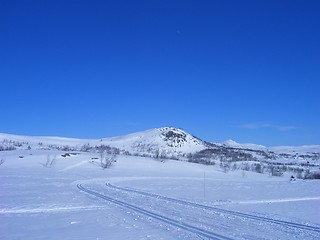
142,198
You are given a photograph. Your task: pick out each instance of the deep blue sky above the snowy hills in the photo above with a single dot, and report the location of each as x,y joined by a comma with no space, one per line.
242,70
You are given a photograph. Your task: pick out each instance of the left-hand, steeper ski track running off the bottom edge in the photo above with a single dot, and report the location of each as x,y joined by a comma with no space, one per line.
181,225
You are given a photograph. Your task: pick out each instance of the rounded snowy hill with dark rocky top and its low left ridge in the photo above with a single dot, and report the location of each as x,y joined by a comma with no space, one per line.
166,141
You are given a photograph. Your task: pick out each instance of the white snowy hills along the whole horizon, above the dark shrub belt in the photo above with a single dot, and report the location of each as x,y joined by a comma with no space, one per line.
159,142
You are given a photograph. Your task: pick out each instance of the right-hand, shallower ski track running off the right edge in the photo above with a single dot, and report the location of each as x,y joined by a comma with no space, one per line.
230,212
